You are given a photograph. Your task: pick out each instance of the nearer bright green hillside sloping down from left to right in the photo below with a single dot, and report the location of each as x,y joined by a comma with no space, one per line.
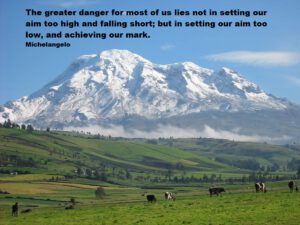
62,154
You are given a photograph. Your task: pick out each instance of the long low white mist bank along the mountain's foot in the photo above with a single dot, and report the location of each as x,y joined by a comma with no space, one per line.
176,132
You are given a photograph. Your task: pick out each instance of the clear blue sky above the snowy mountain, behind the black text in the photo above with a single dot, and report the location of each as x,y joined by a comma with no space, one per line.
267,56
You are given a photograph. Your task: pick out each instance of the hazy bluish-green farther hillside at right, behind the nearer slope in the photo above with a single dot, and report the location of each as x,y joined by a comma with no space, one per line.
245,155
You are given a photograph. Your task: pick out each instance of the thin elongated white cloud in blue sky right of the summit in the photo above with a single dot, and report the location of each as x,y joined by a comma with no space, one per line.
271,58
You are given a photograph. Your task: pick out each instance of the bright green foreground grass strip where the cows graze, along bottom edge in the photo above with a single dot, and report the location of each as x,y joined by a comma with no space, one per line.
275,208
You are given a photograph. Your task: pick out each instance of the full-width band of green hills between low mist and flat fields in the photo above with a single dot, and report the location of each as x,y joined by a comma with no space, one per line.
136,162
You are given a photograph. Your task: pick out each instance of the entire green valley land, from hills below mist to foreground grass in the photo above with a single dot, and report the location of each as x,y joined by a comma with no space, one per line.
46,171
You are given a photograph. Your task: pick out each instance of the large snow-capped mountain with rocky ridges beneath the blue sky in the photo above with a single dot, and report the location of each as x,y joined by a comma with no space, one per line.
118,87
